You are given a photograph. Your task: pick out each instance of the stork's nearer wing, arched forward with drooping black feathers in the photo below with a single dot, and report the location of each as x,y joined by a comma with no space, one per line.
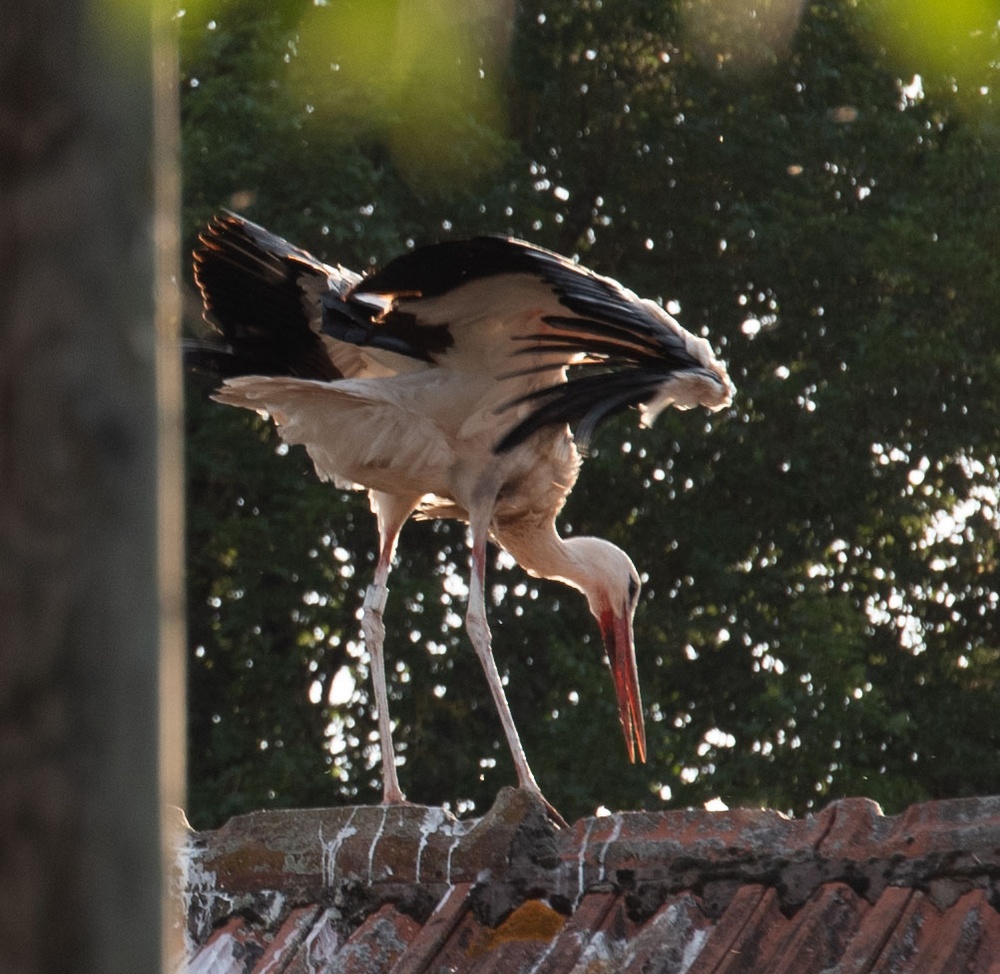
518,312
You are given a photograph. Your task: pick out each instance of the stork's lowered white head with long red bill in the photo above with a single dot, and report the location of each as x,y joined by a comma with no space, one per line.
609,580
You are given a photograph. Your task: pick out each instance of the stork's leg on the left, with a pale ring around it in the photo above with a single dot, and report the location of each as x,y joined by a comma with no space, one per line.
391,513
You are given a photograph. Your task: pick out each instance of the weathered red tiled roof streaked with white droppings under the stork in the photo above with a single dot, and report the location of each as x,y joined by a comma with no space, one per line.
409,890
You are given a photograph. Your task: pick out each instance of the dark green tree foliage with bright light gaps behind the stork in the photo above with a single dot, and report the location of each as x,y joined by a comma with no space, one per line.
822,583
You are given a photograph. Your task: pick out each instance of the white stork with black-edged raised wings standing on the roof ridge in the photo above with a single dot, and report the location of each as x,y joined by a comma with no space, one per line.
440,385
